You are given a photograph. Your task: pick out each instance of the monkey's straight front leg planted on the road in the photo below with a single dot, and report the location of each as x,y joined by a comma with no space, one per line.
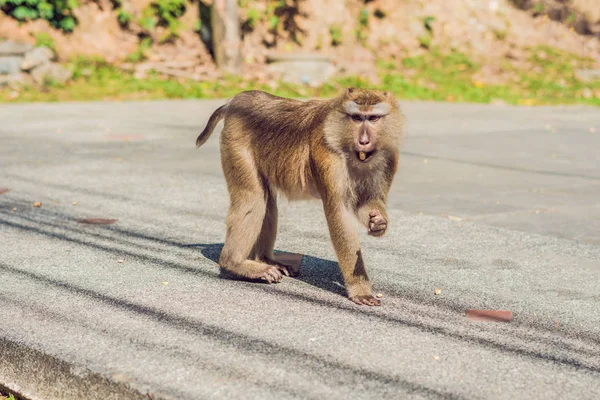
347,248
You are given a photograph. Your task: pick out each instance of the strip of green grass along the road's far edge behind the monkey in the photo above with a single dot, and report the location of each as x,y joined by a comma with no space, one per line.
433,76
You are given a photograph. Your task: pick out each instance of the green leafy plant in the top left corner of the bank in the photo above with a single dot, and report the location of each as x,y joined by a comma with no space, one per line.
59,13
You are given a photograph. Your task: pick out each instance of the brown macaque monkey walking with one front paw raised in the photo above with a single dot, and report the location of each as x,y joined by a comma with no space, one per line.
343,151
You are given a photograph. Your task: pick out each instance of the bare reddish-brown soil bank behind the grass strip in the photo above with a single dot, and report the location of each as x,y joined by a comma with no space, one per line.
496,33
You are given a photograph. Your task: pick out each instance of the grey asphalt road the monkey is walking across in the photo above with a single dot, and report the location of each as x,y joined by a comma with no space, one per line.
497,206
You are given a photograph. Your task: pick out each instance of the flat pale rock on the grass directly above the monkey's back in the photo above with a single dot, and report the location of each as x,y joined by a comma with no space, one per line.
301,68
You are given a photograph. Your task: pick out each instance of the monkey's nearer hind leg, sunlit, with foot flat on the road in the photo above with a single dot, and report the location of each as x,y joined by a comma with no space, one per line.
244,221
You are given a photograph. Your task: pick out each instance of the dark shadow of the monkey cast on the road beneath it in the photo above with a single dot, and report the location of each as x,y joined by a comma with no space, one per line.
318,272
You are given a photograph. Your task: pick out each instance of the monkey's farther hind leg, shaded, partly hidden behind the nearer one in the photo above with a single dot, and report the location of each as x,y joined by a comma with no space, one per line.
263,248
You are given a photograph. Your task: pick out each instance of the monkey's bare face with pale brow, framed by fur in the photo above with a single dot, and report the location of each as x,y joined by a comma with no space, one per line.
366,120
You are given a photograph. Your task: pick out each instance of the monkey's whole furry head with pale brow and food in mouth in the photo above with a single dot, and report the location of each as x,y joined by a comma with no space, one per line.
369,122
